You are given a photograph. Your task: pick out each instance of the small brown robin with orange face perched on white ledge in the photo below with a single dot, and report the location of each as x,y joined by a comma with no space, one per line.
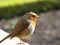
24,27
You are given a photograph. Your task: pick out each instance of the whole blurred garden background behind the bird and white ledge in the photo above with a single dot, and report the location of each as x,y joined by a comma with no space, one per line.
48,25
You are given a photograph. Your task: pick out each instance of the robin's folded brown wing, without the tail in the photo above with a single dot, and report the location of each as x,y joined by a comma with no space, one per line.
19,28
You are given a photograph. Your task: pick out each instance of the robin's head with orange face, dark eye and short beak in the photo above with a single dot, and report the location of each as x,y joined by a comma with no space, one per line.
31,16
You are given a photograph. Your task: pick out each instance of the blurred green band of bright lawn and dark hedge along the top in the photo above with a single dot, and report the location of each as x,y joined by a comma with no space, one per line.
11,8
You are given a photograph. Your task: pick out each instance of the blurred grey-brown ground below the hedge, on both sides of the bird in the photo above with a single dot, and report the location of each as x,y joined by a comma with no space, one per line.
47,30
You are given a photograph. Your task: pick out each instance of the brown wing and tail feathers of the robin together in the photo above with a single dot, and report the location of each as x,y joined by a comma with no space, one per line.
19,28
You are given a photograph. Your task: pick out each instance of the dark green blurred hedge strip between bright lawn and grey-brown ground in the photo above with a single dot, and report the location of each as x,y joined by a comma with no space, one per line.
38,6
